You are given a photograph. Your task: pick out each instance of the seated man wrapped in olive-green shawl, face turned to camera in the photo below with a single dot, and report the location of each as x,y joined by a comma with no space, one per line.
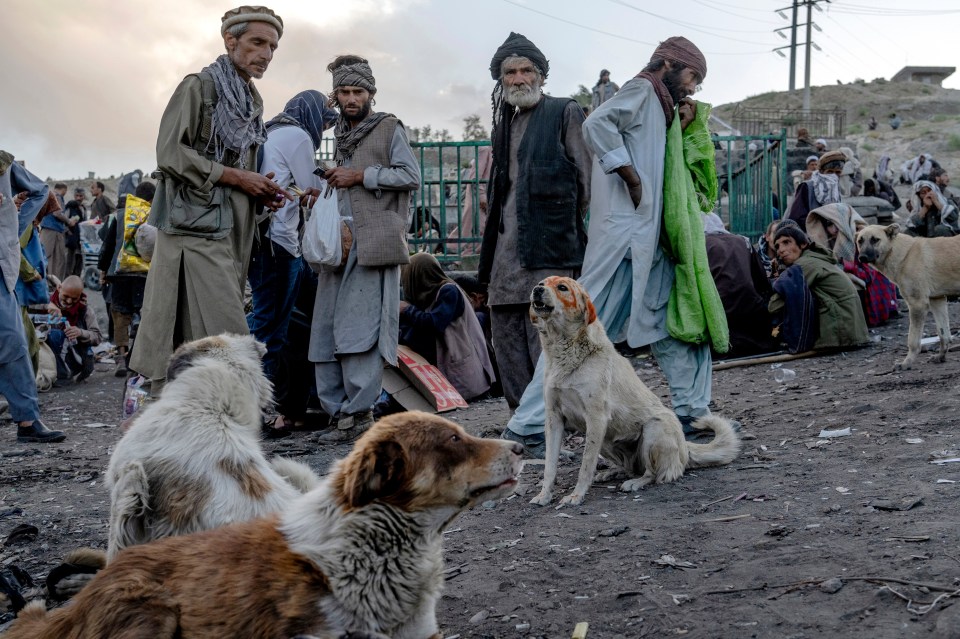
840,315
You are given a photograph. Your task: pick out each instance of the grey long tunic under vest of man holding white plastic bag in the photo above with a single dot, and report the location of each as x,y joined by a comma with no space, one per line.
359,308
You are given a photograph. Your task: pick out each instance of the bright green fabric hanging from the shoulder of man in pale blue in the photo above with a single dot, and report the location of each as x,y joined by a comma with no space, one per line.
695,312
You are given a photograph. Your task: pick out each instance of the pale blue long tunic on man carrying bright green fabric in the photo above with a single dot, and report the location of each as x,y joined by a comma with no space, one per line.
629,129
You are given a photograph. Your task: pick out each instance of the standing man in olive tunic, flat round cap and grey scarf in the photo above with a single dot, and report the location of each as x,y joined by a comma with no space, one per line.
208,194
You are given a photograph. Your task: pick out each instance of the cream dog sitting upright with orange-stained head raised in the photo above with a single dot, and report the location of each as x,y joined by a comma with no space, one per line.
591,388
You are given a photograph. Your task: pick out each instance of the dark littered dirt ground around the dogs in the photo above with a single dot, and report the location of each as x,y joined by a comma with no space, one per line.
802,536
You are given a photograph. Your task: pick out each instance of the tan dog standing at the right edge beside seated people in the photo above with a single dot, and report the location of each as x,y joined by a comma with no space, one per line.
925,269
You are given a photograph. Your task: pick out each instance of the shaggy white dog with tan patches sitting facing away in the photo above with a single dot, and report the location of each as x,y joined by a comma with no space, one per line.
192,460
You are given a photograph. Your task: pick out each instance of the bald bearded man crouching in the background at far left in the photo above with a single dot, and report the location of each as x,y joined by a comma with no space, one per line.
72,343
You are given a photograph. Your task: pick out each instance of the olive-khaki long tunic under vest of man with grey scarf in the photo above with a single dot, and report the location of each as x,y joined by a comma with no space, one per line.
194,282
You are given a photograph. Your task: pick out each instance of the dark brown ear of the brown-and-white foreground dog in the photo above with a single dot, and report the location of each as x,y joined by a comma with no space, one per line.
374,473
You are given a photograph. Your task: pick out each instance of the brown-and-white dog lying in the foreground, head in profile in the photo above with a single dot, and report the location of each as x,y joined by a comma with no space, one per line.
362,552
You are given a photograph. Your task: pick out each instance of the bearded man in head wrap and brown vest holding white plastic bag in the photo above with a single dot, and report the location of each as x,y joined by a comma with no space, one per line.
355,320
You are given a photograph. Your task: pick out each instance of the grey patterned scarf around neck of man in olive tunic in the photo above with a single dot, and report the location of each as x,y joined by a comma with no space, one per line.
237,125
